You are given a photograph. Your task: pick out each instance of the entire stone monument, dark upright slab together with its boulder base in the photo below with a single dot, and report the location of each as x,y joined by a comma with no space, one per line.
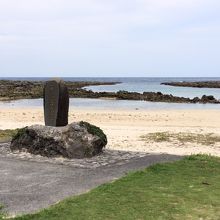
58,138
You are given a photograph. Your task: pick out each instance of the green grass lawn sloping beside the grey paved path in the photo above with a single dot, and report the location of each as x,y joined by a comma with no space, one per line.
186,189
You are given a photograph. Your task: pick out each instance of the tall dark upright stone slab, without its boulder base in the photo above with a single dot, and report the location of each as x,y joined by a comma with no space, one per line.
56,103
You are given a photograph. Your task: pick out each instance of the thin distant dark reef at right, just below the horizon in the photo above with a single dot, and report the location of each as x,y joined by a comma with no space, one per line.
201,84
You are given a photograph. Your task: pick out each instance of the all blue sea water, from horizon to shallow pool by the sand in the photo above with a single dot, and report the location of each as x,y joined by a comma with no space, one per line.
131,84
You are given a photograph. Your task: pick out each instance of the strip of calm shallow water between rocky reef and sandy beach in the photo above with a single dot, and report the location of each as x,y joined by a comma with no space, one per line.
106,104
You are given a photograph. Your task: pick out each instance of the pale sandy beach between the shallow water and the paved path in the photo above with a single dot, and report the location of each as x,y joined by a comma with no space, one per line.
124,128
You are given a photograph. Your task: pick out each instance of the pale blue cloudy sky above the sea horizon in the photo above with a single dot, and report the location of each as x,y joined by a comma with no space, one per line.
107,38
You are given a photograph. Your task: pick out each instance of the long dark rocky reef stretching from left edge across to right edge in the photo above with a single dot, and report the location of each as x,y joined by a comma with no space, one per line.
26,89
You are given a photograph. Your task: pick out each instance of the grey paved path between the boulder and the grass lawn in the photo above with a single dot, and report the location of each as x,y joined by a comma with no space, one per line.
27,186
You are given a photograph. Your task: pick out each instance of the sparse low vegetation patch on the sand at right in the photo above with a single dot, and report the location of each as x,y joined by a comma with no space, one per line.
182,137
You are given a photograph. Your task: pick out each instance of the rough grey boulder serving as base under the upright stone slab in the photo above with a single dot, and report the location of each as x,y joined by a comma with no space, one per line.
76,140
